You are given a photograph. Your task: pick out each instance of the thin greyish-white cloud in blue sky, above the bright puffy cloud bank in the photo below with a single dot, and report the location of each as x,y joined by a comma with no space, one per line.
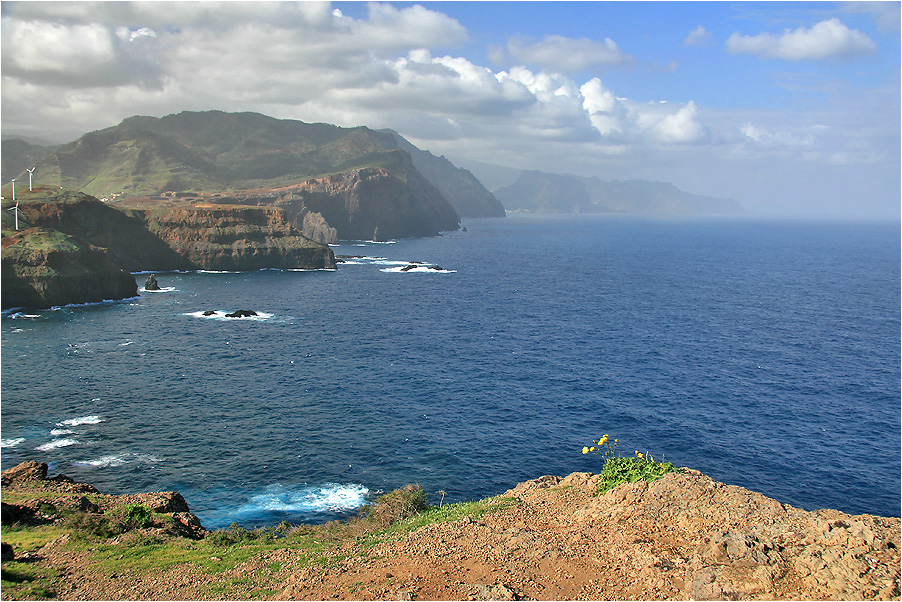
567,55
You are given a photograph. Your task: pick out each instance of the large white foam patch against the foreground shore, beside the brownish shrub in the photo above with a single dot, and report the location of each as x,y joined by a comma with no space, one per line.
329,497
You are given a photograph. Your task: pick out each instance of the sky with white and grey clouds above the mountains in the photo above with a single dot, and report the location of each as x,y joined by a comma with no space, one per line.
789,108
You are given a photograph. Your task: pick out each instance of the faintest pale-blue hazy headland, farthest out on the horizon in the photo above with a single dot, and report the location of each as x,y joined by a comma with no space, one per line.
546,192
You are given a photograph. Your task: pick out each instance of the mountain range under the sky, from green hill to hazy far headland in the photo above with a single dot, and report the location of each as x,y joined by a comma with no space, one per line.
213,152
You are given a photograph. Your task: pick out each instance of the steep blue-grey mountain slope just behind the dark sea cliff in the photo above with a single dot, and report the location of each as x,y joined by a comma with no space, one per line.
465,193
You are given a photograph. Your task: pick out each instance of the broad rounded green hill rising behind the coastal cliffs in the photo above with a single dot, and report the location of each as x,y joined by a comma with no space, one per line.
209,151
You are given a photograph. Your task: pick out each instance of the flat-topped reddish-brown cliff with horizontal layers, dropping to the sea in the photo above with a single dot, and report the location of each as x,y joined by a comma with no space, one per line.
236,237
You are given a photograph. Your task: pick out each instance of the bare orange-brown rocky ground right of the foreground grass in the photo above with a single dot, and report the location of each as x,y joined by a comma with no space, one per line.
682,537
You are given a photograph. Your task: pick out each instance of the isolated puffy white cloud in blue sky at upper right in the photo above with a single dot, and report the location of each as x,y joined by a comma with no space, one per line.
826,40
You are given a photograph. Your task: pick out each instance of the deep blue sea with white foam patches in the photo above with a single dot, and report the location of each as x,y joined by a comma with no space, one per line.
765,354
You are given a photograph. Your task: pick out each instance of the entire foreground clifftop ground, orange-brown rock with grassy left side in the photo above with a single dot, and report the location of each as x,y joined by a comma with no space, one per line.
684,536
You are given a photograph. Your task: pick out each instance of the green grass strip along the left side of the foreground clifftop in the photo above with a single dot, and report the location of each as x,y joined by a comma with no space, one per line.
139,551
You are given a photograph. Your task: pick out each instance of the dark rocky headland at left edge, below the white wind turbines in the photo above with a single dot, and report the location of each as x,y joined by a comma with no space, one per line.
44,268
